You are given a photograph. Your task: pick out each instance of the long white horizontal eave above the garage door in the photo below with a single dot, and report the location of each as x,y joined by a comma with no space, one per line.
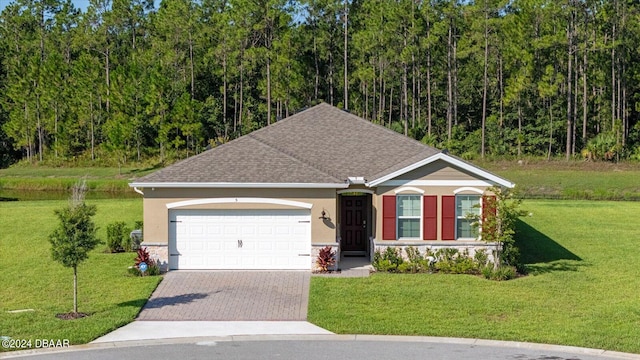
225,185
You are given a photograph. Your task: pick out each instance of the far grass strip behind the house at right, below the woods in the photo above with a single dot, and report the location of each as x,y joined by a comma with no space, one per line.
571,180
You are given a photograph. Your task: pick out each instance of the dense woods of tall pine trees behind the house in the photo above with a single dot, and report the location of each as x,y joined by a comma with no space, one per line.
124,81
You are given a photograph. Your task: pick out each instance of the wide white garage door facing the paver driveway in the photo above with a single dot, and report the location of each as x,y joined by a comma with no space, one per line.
240,239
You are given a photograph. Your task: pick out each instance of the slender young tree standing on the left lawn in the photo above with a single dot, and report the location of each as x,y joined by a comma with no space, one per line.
75,236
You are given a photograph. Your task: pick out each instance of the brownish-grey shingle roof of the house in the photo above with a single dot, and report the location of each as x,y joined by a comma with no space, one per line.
322,144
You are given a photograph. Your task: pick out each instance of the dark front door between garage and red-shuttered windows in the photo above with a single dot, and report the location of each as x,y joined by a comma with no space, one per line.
353,225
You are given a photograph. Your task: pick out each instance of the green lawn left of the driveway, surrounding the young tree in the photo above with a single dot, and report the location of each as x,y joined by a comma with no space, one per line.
32,280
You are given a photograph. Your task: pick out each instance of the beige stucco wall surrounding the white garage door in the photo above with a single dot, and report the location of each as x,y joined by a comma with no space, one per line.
156,213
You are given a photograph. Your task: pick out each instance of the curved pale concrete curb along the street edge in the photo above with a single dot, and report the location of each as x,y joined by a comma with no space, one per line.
428,339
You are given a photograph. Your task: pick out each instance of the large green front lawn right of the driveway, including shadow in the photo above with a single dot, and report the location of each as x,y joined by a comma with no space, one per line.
583,289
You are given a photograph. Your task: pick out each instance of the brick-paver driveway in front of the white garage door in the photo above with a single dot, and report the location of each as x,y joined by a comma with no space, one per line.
230,296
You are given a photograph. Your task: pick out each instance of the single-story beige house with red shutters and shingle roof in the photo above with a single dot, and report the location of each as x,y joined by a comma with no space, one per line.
273,198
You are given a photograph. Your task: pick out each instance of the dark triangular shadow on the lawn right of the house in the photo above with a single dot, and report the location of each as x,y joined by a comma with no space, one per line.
541,254
